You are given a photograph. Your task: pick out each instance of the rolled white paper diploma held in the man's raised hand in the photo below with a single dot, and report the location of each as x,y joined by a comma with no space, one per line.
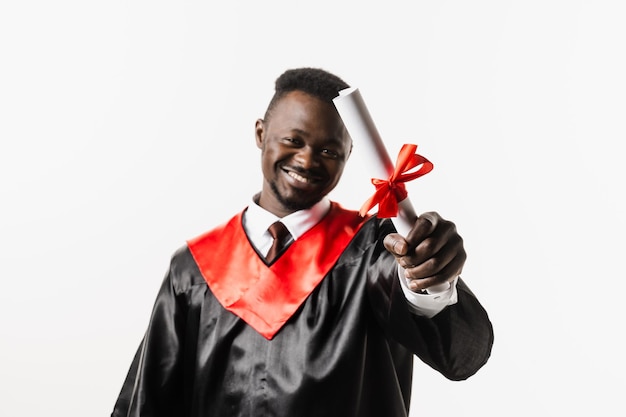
356,117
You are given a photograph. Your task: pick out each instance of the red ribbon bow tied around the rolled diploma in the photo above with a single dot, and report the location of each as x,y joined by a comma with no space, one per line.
390,192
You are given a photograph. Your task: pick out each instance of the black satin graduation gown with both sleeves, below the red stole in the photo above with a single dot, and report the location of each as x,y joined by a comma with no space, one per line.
347,351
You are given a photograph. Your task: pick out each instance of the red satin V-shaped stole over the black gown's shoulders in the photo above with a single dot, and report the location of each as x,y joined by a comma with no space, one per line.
264,296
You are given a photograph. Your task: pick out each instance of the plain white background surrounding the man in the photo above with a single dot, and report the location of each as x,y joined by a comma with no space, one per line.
126,127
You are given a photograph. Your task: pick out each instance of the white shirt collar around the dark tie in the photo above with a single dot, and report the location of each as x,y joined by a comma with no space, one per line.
257,219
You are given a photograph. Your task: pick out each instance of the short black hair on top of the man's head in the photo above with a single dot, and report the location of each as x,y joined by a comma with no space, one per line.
314,81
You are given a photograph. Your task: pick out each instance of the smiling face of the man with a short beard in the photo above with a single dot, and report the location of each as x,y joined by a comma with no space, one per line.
304,147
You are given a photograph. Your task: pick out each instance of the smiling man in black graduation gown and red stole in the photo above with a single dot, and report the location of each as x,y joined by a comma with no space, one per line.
329,325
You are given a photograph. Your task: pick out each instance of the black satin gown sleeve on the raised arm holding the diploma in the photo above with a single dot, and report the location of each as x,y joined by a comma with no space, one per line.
456,342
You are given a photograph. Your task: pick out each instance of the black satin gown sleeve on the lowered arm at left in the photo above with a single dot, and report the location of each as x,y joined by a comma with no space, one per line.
155,384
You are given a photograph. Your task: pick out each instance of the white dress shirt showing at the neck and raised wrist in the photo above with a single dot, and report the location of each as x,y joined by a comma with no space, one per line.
256,221
